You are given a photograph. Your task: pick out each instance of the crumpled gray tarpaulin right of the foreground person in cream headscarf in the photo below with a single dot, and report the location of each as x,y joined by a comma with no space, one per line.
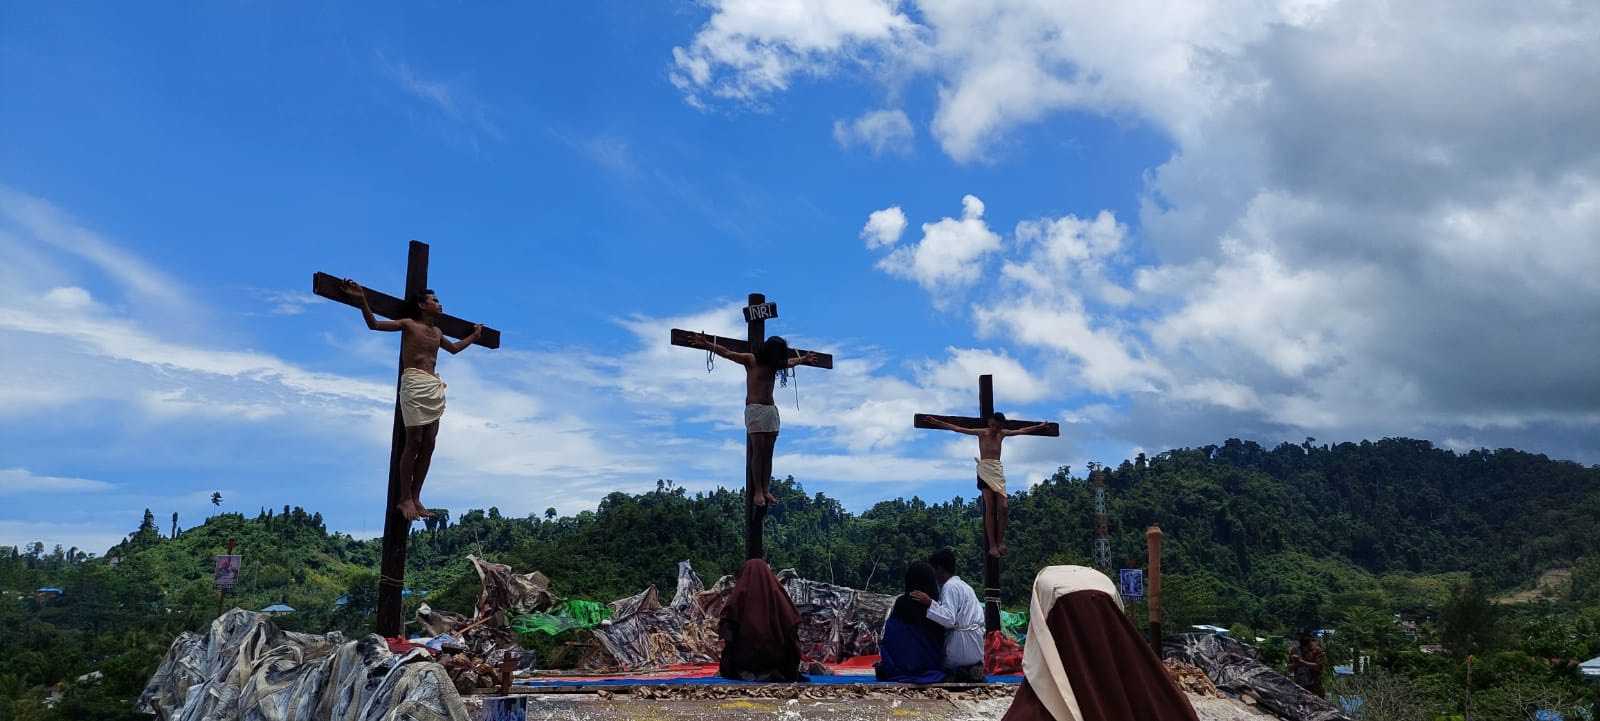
1233,667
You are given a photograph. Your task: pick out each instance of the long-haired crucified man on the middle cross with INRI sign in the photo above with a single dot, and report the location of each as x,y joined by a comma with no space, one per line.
761,412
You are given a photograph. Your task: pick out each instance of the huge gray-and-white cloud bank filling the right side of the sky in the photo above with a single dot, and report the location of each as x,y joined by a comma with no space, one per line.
1378,218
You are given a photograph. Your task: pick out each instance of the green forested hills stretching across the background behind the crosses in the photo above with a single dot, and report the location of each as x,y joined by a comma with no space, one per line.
1273,540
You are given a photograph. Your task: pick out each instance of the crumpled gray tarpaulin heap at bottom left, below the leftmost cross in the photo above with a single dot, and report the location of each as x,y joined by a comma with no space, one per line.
246,669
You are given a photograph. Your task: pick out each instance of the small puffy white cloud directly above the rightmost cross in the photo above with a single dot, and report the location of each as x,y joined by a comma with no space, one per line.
950,255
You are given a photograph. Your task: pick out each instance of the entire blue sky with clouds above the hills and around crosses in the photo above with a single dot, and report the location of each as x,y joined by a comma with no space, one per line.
1156,228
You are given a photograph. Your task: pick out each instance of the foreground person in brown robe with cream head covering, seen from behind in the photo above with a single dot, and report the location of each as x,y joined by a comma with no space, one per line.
1084,661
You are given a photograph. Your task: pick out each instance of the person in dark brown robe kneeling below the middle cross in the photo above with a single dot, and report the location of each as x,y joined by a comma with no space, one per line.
761,629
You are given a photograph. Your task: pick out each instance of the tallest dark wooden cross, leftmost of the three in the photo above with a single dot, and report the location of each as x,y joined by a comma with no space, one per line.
398,530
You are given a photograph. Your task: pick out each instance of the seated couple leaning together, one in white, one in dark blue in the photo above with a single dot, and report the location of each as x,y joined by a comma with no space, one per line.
935,632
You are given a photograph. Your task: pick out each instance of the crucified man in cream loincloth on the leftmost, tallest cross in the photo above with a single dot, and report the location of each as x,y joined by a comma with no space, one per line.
422,391
